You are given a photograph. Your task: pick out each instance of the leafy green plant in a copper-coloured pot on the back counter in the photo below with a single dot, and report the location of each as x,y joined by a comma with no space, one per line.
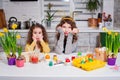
92,6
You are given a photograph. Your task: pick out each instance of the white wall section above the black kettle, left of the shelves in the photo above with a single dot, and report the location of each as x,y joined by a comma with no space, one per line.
23,10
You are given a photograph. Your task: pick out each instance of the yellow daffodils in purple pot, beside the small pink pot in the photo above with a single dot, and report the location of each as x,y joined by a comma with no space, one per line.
8,41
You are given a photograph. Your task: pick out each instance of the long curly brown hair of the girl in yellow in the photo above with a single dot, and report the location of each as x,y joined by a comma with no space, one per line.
30,34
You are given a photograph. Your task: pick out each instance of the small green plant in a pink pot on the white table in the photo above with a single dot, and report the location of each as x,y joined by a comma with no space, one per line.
20,59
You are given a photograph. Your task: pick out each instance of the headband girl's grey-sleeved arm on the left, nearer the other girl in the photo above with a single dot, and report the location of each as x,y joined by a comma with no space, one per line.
59,44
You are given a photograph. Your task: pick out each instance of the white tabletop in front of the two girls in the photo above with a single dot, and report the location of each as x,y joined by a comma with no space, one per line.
42,69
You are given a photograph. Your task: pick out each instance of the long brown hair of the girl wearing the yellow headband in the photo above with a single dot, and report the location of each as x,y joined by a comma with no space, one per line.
69,20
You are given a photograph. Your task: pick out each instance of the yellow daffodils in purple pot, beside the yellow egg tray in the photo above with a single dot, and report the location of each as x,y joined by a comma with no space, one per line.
112,43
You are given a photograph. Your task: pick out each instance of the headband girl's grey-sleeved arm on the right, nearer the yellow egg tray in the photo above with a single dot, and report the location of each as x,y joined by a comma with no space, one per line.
70,47
